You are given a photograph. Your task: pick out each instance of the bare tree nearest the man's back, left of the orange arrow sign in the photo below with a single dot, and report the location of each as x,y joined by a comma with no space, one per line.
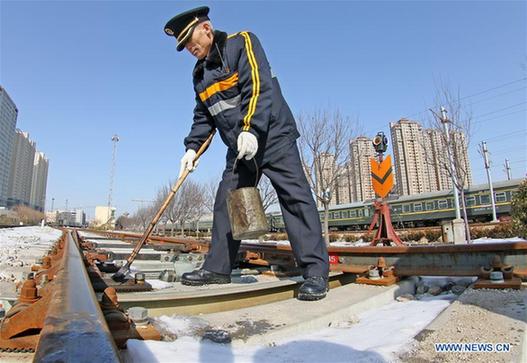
324,150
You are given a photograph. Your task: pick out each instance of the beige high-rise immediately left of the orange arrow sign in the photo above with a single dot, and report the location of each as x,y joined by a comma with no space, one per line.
361,151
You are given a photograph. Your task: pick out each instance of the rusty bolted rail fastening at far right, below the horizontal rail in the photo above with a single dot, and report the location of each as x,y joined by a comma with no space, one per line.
497,276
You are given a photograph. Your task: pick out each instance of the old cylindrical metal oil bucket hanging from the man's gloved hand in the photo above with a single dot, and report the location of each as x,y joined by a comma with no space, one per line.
246,213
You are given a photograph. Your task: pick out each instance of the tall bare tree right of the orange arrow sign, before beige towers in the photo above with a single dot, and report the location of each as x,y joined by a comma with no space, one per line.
457,119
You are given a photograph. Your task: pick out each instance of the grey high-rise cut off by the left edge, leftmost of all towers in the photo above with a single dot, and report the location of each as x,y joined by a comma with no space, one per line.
8,116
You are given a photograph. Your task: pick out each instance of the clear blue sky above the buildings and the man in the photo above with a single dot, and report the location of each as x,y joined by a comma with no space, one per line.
80,71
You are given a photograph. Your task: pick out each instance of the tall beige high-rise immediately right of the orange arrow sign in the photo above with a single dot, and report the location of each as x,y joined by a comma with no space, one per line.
410,164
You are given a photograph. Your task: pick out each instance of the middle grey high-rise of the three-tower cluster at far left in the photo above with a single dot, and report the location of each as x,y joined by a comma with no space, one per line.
21,173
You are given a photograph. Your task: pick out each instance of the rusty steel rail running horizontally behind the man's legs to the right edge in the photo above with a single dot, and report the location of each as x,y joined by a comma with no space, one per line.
425,260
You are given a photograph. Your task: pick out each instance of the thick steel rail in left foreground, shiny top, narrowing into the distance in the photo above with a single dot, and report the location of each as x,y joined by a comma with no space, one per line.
75,329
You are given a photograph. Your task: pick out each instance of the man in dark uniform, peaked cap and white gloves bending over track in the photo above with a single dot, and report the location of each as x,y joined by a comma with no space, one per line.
237,94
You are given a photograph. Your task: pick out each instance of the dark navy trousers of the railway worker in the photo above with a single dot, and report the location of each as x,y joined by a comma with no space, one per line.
299,211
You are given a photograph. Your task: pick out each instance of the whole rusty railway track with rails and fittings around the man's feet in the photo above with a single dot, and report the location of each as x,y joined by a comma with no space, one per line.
72,303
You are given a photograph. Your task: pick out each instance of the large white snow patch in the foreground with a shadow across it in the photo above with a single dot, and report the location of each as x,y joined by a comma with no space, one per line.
378,335
